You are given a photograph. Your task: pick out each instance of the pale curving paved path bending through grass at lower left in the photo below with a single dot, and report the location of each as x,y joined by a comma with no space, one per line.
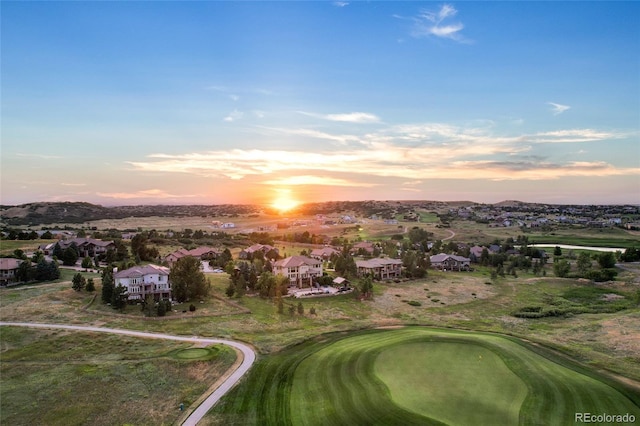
249,357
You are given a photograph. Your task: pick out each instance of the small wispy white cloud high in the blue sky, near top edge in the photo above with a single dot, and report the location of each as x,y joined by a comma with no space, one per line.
439,24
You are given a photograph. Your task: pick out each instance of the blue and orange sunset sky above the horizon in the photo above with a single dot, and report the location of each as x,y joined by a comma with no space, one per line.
214,102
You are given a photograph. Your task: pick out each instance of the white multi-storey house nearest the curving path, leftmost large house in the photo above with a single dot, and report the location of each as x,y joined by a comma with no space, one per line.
141,281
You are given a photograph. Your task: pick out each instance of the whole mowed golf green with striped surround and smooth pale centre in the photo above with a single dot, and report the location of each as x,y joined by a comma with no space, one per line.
419,375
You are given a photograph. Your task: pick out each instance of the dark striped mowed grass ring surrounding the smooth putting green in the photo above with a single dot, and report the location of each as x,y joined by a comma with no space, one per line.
334,382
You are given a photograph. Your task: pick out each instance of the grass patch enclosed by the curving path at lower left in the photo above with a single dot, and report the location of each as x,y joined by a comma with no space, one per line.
70,378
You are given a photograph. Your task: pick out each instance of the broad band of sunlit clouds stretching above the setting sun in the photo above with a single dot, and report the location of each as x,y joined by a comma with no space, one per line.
411,153
